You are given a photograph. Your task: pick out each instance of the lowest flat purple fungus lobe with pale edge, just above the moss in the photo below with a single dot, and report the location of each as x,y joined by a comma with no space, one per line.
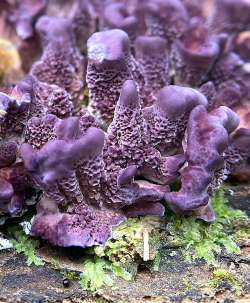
79,228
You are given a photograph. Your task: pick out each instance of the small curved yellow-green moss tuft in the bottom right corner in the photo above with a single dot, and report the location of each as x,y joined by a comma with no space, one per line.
221,275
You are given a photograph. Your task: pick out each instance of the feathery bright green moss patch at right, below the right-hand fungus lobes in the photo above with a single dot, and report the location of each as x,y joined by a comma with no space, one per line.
202,240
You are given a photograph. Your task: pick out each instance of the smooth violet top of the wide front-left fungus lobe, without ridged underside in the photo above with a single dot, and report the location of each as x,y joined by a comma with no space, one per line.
57,158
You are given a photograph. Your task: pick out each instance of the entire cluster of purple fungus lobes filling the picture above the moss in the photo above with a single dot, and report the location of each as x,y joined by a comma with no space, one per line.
163,79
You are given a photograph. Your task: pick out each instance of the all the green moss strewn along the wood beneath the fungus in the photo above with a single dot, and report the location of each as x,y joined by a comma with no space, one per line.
142,240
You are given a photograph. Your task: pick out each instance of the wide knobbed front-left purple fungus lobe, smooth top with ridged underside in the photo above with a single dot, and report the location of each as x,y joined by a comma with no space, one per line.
53,166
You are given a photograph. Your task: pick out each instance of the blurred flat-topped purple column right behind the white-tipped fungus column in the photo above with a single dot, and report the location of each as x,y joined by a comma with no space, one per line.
153,60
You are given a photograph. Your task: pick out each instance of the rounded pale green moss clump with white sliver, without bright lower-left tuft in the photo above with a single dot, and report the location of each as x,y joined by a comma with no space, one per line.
126,249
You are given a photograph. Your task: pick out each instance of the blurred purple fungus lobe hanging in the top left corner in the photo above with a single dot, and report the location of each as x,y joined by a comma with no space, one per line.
25,15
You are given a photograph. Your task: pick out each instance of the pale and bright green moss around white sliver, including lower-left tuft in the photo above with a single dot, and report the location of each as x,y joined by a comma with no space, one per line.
123,253
